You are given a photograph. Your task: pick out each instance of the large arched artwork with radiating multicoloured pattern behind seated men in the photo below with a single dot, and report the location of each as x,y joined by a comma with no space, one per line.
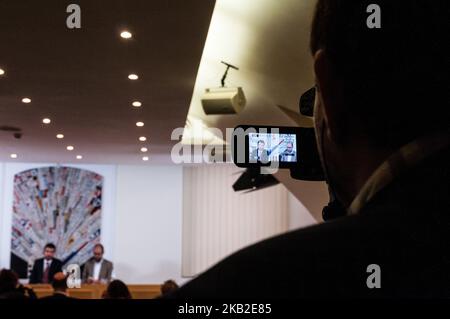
61,205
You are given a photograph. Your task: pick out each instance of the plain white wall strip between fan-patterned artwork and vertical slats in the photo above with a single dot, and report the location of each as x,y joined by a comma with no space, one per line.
147,245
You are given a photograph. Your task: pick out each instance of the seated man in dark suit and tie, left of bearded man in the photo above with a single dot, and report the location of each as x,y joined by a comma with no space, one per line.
45,268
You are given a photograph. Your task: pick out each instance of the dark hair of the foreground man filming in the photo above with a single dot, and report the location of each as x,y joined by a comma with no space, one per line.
395,78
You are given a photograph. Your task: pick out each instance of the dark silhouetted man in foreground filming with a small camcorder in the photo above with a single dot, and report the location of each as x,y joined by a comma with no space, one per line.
382,127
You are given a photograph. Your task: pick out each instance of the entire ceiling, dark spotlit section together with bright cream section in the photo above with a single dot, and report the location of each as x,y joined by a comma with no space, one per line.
78,78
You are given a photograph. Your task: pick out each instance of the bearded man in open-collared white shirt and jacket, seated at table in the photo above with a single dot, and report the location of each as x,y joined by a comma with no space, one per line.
97,269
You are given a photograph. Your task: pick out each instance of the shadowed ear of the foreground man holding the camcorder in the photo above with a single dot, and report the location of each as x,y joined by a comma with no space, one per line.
330,93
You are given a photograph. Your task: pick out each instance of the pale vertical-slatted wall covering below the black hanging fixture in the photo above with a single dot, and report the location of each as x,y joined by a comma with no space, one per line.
219,221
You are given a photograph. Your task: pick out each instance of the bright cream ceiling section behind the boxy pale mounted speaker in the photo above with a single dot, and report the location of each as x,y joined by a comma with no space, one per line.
269,41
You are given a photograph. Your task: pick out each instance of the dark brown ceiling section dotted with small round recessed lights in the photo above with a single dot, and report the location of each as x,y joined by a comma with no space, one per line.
78,78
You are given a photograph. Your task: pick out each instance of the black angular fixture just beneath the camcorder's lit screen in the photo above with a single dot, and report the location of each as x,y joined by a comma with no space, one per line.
253,180
